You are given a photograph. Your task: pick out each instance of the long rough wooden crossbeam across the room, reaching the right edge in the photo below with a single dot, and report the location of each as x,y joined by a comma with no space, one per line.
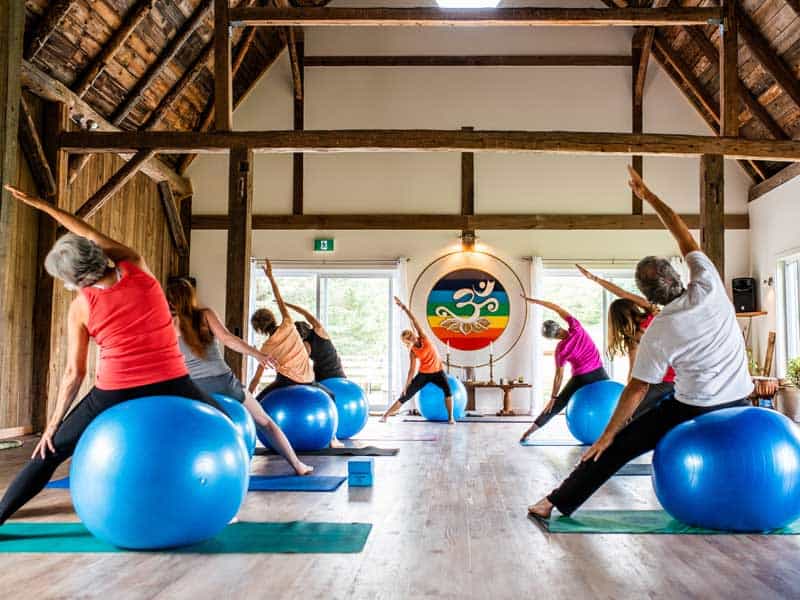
427,140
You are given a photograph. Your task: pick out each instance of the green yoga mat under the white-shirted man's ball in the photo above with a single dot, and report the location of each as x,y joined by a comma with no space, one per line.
636,521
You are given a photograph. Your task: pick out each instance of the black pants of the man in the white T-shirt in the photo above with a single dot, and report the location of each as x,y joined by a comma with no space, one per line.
639,436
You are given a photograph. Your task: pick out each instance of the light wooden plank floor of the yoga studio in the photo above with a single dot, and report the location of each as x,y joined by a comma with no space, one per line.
449,522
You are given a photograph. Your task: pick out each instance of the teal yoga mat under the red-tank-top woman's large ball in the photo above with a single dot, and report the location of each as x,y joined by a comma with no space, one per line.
296,537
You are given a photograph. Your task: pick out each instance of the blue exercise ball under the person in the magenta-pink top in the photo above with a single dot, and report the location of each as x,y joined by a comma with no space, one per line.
590,409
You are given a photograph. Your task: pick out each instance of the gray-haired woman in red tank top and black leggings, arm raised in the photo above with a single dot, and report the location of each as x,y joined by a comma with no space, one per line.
122,307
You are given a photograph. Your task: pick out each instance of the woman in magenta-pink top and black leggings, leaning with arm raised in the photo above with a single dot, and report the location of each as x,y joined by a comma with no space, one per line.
578,349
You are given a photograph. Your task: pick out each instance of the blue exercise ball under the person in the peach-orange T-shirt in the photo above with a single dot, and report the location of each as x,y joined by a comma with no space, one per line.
306,414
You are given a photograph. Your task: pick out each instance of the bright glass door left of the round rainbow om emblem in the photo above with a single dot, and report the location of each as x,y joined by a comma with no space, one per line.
354,306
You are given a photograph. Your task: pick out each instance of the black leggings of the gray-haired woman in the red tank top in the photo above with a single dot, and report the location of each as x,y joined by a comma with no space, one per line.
35,475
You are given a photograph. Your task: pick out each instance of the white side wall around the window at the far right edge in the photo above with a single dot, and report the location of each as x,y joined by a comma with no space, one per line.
773,233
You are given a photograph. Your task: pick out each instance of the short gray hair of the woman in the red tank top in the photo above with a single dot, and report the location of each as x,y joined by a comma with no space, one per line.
77,261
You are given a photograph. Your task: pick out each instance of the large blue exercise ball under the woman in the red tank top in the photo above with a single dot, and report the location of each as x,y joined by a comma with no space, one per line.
158,472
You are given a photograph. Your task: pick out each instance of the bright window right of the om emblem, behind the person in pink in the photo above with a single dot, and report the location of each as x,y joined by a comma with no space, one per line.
588,303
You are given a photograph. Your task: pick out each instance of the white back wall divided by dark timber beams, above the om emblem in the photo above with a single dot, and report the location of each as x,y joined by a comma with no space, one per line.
545,98
